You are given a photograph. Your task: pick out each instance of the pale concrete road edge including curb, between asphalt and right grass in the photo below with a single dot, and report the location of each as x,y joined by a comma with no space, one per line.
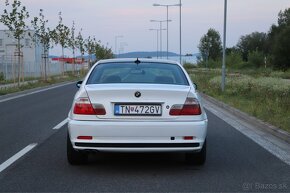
273,139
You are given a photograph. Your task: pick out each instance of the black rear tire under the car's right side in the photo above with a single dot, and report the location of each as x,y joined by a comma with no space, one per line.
198,158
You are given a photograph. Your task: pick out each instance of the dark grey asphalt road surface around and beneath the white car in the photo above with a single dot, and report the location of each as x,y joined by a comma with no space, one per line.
234,162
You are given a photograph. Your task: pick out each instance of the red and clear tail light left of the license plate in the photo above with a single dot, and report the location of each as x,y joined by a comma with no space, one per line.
83,106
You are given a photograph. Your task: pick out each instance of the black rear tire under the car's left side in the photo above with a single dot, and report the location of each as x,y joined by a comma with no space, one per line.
75,157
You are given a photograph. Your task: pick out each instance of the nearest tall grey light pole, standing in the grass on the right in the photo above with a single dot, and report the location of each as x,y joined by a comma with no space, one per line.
224,47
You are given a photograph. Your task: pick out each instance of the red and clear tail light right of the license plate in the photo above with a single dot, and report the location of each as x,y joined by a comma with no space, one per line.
190,107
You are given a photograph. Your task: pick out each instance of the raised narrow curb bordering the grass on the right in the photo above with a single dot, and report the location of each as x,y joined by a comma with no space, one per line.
259,124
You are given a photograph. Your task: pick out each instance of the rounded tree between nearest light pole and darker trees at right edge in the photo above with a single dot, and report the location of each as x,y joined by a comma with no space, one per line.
255,41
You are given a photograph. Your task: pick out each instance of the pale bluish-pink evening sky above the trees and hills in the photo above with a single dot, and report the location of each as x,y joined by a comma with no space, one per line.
106,19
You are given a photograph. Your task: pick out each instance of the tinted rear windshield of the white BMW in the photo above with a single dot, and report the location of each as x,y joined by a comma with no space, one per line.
148,73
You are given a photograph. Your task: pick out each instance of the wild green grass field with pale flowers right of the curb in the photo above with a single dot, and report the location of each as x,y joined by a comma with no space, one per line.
262,96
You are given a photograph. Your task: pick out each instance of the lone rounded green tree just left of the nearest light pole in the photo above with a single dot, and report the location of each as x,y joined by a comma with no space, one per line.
210,45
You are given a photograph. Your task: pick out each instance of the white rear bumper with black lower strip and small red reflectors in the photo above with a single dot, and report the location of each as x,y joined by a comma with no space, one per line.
118,136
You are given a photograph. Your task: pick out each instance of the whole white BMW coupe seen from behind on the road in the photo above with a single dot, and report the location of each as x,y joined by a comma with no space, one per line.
137,105
